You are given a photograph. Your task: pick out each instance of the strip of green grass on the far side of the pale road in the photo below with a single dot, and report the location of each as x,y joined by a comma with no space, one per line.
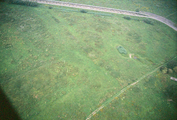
165,8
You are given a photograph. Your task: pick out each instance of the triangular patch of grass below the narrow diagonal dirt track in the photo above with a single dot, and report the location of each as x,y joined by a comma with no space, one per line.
150,99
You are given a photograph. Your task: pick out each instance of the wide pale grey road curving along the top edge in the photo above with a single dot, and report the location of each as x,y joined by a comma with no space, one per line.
111,10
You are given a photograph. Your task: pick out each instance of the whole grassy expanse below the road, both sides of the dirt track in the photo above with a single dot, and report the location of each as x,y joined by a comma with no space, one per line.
60,63
